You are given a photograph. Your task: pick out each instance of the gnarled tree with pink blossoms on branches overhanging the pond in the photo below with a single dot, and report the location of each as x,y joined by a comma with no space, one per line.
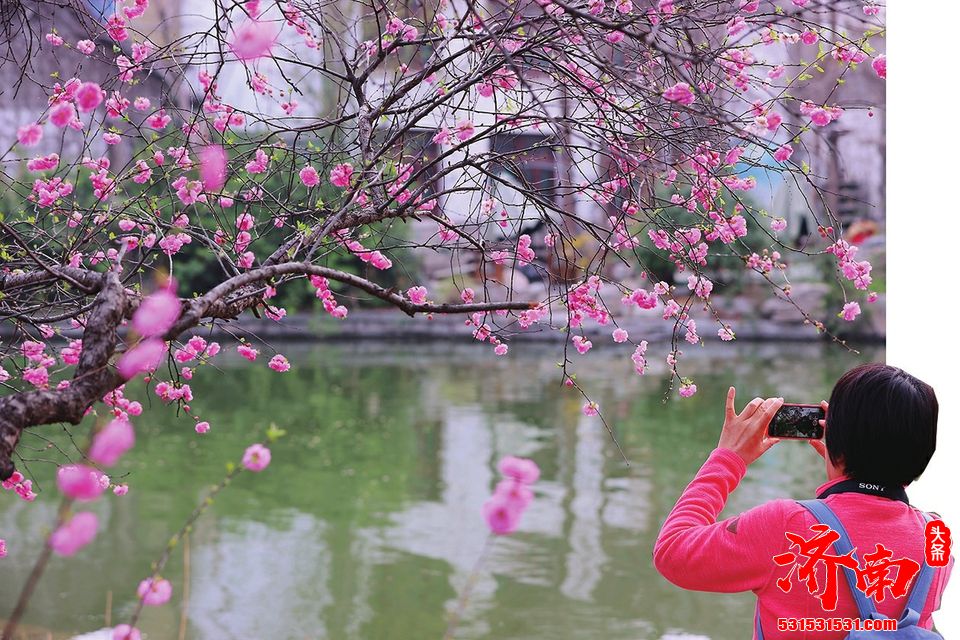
342,143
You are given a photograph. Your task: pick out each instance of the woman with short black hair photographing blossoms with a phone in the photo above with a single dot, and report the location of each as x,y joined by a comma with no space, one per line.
880,433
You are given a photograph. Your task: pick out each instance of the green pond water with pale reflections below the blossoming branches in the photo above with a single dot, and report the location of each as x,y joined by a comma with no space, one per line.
367,523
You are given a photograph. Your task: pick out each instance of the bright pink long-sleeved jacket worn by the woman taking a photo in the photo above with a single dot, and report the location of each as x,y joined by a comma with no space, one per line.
694,551
